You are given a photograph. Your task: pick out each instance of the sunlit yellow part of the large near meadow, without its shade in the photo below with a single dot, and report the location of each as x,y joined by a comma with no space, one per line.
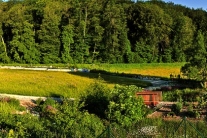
42,83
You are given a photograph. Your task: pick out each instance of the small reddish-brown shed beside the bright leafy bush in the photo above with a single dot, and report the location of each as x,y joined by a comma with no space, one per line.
151,98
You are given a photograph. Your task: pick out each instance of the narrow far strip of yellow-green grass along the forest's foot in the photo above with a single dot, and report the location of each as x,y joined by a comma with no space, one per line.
151,69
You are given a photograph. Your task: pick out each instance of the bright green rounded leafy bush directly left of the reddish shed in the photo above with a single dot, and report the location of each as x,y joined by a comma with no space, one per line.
124,107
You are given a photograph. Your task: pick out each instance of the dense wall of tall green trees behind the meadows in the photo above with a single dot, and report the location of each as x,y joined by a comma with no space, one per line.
99,31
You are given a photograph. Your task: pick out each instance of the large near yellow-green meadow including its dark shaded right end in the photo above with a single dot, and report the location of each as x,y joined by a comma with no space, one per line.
63,84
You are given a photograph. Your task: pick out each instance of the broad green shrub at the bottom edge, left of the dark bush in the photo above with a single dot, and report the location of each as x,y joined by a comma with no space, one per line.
69,121
